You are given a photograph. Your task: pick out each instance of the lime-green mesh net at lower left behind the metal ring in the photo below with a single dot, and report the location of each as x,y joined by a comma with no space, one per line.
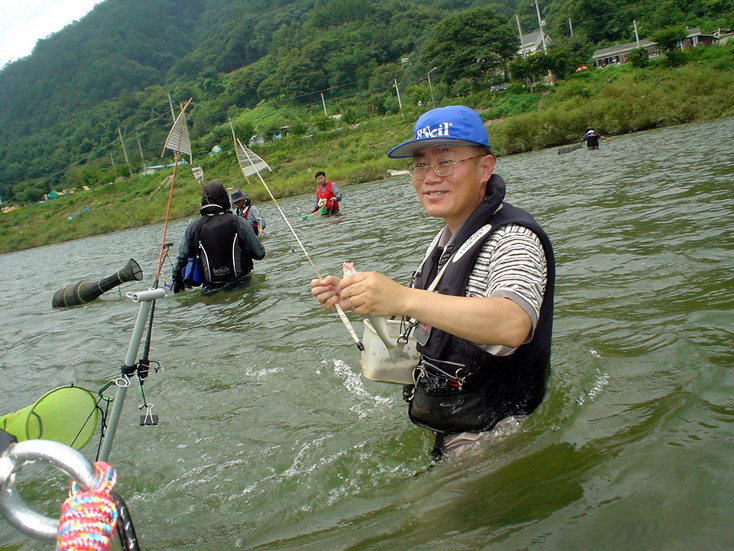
67,414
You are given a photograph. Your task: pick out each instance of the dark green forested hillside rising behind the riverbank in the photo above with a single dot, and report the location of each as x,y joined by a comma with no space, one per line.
115,68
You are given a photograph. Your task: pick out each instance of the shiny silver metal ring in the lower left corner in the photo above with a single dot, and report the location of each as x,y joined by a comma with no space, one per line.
56,454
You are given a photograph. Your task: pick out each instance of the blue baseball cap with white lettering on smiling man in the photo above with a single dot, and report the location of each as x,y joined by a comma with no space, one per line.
452,125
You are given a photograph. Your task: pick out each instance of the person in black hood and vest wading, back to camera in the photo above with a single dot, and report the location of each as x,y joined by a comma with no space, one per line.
225,243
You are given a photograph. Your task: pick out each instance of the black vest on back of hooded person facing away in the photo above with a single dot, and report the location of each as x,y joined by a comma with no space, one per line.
222,257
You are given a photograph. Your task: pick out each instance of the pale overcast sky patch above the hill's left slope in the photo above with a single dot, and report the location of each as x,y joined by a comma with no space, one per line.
23,22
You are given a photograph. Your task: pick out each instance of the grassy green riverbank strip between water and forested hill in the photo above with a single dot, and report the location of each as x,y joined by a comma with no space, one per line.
614,100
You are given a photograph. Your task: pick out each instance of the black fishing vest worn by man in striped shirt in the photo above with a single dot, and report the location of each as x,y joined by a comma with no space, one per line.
462,387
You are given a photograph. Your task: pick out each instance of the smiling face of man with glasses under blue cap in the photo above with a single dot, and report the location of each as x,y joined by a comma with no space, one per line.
452,198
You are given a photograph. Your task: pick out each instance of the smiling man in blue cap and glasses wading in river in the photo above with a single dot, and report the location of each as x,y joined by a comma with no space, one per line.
481,300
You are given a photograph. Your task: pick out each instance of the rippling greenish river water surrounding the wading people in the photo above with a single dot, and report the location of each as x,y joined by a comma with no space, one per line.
269,437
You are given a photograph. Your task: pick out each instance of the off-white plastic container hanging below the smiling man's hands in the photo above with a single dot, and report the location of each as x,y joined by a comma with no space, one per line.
378,365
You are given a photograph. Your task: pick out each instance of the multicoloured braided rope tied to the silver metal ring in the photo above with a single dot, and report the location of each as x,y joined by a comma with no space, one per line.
88,519
